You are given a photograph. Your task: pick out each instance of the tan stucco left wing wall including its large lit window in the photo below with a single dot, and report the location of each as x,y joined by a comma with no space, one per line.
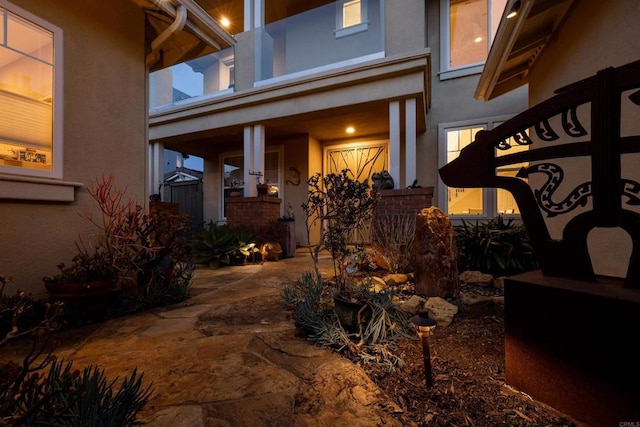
73,106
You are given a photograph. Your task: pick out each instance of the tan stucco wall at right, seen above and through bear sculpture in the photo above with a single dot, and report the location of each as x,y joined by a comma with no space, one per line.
595,36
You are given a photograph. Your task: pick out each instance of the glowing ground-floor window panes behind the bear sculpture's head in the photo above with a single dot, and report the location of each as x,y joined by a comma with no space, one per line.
488,202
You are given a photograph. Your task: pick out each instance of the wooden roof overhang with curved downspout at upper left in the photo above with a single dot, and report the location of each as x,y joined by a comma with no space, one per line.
170,42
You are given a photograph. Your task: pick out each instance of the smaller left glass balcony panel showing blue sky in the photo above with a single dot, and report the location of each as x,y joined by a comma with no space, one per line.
210,75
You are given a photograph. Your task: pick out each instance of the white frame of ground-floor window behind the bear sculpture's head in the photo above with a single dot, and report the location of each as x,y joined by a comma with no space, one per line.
489,195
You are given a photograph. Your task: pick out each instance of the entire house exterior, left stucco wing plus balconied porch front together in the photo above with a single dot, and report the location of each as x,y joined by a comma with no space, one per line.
275,93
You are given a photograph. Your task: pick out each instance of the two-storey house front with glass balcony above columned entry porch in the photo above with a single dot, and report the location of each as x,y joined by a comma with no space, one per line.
278,105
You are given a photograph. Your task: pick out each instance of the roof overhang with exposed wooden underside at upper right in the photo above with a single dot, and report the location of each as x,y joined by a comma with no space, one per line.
518,43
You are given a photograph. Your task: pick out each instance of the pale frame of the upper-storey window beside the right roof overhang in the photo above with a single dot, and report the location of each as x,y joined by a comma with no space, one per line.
447,72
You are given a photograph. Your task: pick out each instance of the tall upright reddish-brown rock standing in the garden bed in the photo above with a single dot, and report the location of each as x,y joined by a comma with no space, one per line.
434,255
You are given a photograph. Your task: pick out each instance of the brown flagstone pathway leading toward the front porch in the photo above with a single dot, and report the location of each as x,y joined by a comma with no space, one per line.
230,356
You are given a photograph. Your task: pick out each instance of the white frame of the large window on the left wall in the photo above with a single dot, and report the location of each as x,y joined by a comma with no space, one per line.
57,148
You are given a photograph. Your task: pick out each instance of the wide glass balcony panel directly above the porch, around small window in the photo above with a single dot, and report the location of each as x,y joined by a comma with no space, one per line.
314,41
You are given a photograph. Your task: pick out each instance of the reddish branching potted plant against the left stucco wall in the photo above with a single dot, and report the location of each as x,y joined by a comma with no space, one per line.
130,249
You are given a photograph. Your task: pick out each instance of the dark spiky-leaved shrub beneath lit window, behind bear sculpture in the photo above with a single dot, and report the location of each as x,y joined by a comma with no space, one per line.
496,247
